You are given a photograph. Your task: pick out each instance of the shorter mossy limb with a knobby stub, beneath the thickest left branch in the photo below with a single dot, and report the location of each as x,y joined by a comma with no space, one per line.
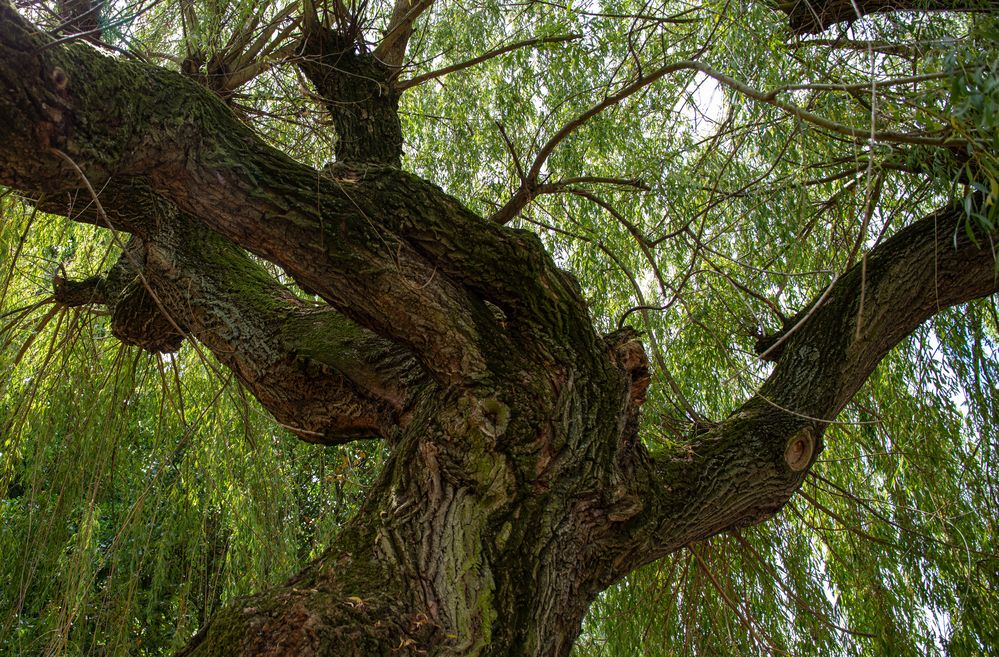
318,373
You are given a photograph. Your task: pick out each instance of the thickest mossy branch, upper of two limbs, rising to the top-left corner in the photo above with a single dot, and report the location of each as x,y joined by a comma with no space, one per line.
390,251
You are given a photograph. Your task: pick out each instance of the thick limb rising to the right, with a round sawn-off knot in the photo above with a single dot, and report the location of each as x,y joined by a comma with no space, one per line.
744,469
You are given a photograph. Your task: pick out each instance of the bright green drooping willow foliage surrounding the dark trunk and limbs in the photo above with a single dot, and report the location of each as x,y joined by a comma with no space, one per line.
139,493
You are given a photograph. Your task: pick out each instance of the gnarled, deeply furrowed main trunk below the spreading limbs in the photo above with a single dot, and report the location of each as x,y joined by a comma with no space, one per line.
478,537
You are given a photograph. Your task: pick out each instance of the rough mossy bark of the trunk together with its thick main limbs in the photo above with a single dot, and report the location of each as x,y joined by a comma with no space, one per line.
517,487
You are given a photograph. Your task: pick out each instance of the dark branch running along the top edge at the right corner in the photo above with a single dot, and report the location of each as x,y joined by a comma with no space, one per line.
814,16
